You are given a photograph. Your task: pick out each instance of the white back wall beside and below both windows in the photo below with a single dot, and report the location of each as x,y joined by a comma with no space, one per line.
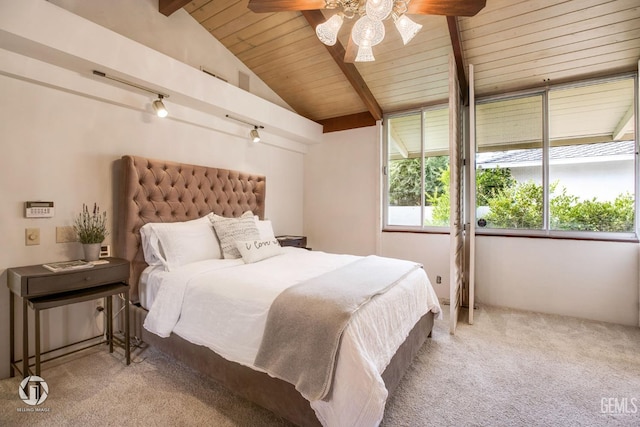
586,279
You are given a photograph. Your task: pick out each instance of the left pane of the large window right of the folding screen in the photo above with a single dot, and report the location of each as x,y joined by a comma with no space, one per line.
509,138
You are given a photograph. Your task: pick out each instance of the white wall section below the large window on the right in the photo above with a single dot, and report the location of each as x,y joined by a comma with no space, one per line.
587,279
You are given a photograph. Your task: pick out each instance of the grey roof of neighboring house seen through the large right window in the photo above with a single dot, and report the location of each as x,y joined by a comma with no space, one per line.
598,151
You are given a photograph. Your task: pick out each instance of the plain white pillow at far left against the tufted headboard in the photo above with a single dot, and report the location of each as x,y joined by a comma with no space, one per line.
179,243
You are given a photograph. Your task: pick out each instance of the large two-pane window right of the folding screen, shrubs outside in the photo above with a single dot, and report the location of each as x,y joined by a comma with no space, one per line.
560,161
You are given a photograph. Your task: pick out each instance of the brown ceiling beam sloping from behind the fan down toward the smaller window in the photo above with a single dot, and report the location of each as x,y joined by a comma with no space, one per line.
314,18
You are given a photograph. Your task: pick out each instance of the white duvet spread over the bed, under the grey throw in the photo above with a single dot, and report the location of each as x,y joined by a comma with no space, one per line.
223,305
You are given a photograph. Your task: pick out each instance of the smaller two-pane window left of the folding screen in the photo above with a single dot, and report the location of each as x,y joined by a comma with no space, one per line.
417,182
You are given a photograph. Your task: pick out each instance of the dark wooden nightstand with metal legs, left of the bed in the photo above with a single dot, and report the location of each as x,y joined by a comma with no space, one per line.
41,289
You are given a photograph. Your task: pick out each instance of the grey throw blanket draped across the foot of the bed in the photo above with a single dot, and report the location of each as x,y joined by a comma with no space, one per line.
306,321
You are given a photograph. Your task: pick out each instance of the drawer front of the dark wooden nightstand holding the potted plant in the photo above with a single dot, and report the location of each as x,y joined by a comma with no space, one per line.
63,282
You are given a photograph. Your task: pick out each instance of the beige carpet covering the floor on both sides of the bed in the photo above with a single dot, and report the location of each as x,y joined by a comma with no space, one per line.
511,368
